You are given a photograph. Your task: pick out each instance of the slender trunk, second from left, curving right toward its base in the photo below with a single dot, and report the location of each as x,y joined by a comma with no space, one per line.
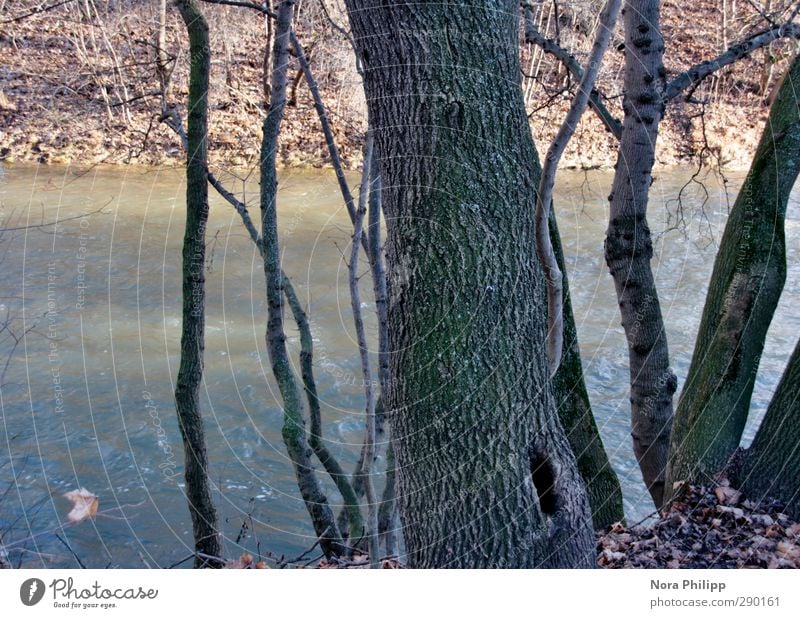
294,434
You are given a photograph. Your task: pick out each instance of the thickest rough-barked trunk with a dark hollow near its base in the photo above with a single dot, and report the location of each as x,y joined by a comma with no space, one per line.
485,475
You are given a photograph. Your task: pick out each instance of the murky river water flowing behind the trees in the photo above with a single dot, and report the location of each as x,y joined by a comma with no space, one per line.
87,395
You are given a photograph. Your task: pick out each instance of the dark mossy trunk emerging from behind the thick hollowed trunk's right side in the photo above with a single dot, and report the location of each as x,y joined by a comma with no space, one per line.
575,412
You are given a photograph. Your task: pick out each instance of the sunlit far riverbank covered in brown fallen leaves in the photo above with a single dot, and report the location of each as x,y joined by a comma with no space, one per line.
73,90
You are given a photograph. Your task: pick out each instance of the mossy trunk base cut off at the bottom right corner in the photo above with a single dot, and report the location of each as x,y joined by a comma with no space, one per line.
769,468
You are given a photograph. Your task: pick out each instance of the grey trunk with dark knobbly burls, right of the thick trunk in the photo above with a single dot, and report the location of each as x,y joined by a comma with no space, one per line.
628,247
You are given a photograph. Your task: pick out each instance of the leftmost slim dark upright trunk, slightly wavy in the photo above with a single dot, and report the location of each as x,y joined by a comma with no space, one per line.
190,374
